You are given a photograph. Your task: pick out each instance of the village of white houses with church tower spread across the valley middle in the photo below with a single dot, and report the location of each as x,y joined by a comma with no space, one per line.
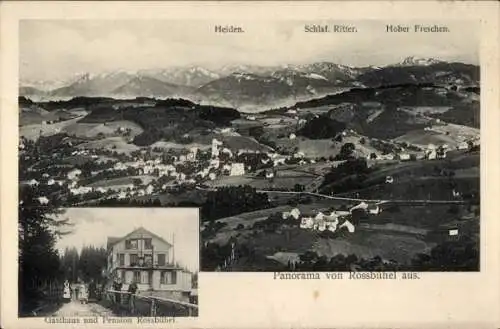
155,173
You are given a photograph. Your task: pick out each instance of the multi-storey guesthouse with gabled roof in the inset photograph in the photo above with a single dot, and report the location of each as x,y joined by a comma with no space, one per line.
148,260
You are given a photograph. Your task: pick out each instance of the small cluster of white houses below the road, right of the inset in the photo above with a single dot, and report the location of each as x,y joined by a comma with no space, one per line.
331,221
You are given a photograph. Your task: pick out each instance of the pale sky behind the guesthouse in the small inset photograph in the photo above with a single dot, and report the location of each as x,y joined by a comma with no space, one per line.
92,226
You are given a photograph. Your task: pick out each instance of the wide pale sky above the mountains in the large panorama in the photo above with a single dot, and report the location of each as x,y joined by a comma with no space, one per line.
55,49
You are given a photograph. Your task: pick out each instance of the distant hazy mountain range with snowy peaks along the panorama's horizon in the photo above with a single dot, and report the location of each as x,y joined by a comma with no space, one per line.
252,88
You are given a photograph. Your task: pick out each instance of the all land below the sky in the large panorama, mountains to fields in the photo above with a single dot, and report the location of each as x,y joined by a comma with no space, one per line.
304,167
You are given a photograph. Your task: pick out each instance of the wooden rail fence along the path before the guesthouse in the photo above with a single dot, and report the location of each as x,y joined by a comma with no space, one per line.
139,305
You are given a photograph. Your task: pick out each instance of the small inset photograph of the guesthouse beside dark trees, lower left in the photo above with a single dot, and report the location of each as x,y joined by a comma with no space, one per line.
109,262
